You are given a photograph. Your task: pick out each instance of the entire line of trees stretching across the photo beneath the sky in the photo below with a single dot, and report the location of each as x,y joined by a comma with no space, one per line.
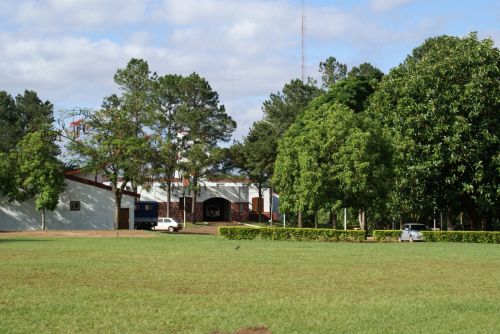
419,141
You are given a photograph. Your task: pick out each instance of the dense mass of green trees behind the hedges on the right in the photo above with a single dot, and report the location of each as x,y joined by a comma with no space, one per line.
417,142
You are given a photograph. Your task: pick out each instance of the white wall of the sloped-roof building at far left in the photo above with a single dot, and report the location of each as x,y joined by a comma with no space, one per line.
96,211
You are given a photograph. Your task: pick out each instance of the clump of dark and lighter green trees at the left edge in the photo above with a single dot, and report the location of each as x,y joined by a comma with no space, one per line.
29,167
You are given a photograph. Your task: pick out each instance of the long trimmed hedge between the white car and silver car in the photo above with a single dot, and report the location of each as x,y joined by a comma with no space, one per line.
310,234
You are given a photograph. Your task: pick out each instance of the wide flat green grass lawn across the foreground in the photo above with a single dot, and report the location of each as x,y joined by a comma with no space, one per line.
200,284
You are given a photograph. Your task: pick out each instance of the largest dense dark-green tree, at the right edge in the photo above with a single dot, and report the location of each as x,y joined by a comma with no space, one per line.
442,106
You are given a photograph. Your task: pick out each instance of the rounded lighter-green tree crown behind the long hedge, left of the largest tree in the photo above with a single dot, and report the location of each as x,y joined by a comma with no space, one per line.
332,155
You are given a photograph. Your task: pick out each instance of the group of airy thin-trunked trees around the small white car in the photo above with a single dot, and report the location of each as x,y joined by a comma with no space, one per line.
157,127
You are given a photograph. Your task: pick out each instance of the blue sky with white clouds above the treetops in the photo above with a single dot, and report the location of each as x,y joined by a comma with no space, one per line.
69,50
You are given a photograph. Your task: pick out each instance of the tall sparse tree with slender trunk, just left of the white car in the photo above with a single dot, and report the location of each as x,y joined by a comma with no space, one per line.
116,141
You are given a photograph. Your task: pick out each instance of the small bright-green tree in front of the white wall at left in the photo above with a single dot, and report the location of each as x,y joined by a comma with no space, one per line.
39,173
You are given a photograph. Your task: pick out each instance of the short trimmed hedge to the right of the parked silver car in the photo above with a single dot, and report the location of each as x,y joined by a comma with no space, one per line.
462,236
